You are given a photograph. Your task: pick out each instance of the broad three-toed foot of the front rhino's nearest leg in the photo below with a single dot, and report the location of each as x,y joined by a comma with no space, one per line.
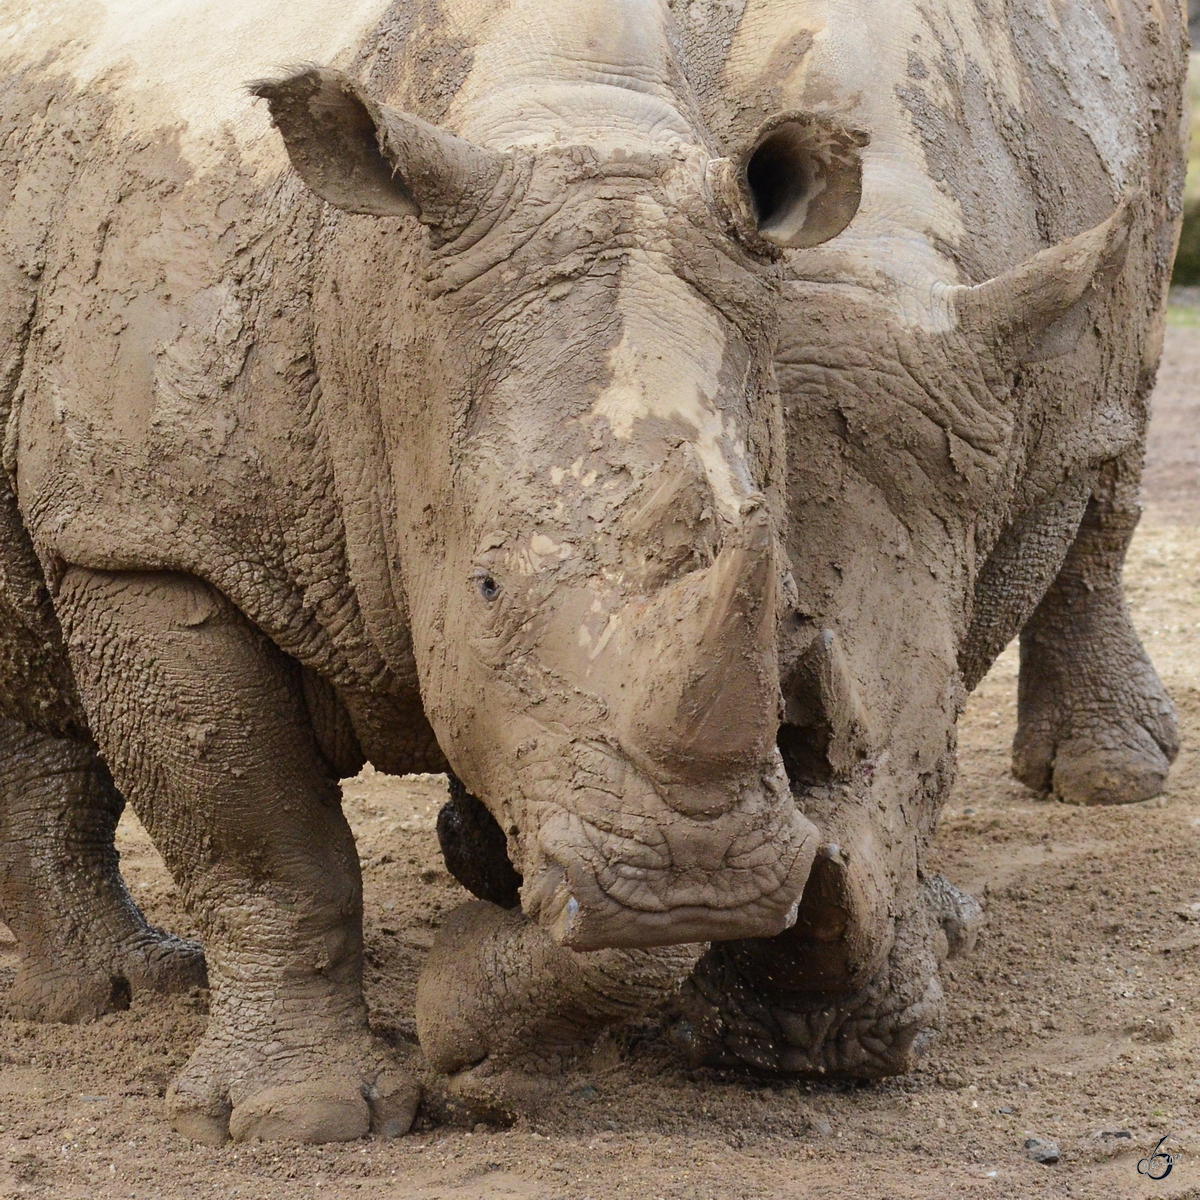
305,1081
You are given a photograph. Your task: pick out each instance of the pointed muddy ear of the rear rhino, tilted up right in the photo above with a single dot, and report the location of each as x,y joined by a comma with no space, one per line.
1039,310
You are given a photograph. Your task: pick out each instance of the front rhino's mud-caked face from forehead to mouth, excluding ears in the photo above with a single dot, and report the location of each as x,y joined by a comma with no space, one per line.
607,680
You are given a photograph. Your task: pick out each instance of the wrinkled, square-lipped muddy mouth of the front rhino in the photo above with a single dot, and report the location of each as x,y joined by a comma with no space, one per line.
650,875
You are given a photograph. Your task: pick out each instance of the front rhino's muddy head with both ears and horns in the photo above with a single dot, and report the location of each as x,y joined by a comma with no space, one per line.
595,589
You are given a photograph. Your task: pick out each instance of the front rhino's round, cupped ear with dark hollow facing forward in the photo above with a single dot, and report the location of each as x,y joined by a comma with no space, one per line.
800,184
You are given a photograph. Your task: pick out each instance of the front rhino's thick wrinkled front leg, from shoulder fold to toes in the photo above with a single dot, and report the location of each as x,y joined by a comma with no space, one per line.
205,725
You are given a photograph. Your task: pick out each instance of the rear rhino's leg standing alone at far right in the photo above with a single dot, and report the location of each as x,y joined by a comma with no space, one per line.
1095,724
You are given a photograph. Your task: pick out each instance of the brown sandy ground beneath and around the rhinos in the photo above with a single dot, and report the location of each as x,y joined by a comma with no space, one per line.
1075,1022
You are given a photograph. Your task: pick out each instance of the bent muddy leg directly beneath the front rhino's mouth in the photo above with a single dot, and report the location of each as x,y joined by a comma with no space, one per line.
505,1011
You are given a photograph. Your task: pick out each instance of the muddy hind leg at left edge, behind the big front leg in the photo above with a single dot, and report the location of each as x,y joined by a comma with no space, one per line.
85,947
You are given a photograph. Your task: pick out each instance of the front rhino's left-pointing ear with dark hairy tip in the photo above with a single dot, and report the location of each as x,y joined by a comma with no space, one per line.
369,158
